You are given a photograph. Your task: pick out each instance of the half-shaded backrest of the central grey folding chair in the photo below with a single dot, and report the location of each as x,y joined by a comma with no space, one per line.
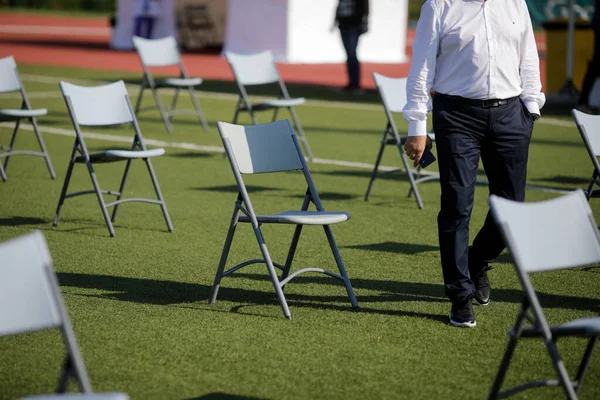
262,148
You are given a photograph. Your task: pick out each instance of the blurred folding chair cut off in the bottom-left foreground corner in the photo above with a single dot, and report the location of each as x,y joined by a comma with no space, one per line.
30,301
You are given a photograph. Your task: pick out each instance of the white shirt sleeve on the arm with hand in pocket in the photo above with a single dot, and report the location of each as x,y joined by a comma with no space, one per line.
529,68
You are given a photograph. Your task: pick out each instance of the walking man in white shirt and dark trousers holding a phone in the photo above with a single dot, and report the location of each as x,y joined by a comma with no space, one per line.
481,60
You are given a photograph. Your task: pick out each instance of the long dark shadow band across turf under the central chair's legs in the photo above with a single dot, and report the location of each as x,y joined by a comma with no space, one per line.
149,291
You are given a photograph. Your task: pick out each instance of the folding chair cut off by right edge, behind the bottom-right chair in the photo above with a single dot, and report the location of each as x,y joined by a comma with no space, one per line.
589,128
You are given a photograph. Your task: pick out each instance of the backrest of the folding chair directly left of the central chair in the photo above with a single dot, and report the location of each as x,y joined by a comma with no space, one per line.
99,105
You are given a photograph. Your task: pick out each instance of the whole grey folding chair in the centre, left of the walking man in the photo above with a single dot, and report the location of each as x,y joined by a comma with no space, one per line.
268,148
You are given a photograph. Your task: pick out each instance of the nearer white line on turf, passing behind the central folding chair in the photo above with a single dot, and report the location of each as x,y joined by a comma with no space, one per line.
218,149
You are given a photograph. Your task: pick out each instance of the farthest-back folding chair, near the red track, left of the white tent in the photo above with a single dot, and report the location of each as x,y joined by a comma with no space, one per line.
164,53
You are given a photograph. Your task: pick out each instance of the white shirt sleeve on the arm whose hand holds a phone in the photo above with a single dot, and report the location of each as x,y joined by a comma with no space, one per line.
422,70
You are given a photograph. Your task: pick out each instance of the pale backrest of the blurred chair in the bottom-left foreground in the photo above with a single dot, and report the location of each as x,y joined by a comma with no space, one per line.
27,297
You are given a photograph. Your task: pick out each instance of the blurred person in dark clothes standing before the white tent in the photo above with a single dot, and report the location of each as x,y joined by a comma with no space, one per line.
352,19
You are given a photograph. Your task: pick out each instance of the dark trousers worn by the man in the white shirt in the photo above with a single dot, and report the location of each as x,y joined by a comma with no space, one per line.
465,132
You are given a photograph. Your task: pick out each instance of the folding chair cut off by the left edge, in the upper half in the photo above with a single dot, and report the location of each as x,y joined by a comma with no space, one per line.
11,82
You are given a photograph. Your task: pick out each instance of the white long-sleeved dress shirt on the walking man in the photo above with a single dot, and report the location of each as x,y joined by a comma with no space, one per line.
475,49
